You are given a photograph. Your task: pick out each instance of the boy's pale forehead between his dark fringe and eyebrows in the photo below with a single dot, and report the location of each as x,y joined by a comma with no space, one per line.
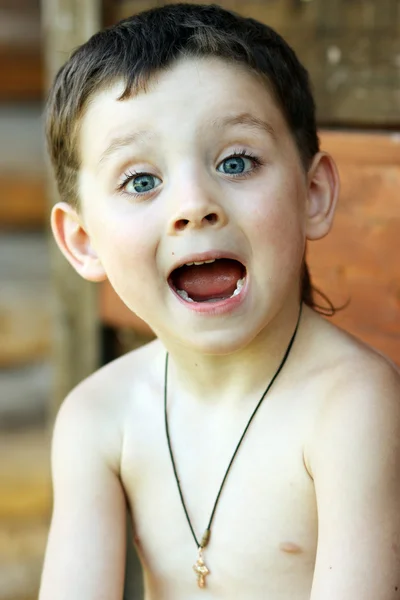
187,99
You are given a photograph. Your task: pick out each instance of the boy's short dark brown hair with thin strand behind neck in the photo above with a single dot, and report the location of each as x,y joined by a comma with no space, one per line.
138,47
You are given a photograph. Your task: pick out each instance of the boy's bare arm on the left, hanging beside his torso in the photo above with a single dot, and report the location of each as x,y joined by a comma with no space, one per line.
85,556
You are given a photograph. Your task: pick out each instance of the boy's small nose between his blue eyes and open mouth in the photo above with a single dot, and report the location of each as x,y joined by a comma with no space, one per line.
195,207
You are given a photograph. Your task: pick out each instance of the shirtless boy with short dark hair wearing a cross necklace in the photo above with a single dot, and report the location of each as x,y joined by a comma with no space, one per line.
256,446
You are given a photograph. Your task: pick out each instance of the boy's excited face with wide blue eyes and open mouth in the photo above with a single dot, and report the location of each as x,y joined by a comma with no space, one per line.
201,166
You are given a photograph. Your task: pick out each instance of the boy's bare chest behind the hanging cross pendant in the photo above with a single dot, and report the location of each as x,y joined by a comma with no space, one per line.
264,529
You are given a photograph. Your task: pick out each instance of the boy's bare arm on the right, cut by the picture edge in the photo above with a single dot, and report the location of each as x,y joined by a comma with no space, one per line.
355,462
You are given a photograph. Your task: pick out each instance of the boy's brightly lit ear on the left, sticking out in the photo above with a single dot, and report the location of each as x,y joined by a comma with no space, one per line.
74,242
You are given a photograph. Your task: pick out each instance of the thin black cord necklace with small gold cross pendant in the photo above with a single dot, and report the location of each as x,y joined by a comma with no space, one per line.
200,567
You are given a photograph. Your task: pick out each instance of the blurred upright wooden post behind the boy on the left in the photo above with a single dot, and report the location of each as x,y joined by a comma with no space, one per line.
67,24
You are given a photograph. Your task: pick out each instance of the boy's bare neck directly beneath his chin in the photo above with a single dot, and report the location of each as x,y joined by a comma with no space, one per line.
231,377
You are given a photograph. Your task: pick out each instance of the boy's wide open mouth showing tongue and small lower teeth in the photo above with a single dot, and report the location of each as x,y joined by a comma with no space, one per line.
210,281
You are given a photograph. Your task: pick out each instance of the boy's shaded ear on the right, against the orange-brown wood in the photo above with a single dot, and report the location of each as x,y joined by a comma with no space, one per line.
323,192
